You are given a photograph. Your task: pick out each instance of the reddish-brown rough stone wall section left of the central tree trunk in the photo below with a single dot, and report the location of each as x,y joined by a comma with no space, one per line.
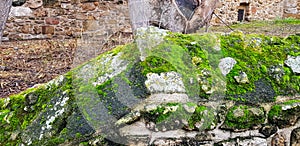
65,19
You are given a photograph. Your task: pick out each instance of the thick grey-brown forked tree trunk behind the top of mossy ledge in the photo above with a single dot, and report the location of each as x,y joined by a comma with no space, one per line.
185,16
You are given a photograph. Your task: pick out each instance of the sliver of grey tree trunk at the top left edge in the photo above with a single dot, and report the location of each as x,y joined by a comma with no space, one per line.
5,6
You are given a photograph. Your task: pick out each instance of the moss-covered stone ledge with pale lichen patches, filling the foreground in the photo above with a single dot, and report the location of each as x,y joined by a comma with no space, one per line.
178,87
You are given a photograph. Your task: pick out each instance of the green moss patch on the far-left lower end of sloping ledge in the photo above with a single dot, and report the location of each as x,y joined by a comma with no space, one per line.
15,106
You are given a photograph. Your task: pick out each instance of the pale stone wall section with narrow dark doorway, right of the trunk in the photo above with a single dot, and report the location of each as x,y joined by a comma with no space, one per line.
256,10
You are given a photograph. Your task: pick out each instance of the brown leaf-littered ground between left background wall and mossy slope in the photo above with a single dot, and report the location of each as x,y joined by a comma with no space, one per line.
24,64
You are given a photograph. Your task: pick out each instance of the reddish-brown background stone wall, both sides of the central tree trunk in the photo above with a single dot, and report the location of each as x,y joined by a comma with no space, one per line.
61,19
